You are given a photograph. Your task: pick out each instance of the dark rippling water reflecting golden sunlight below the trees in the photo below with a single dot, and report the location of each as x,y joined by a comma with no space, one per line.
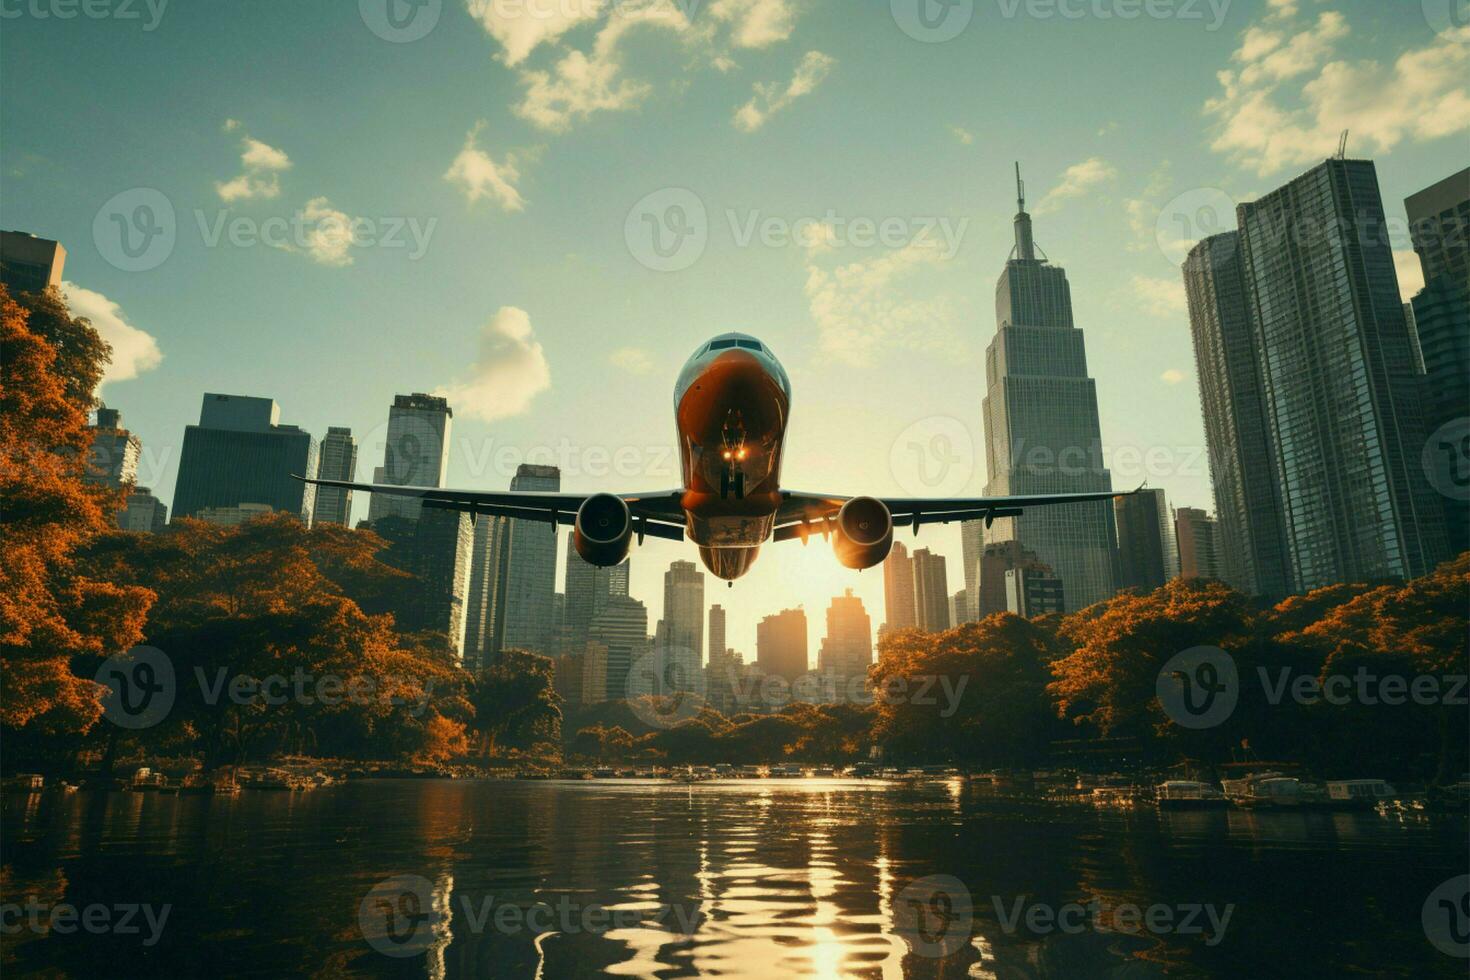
800,878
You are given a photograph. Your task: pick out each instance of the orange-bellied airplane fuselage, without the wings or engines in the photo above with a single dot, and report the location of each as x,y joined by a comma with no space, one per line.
733,402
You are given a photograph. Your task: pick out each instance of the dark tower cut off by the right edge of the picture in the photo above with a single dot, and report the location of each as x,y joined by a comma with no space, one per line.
1440,218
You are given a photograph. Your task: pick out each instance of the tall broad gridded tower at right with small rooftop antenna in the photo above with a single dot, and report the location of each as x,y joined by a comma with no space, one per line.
1337,368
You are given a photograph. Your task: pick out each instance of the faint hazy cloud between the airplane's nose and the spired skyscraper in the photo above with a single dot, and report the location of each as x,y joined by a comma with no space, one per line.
862,308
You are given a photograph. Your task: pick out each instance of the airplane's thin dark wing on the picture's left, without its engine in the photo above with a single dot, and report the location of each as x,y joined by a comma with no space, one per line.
658,515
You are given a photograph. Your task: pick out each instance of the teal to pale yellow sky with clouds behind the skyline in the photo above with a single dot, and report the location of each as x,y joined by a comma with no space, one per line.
542,208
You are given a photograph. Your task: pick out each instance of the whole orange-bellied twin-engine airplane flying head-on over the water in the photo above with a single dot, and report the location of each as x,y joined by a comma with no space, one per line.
733,403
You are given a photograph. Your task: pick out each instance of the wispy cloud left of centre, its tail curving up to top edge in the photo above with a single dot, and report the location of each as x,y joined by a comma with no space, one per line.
584,83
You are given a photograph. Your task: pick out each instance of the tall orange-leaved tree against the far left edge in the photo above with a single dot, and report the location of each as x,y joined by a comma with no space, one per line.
57,622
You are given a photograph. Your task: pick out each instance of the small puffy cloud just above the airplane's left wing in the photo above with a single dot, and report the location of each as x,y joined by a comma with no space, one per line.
511,371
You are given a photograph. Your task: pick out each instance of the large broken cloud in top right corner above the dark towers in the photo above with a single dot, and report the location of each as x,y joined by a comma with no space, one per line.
1266,127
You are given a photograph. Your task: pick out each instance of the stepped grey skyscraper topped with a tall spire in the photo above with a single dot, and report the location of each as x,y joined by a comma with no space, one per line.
1041,424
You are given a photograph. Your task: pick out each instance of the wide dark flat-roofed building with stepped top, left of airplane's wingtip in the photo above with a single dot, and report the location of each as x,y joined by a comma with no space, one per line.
242,455
